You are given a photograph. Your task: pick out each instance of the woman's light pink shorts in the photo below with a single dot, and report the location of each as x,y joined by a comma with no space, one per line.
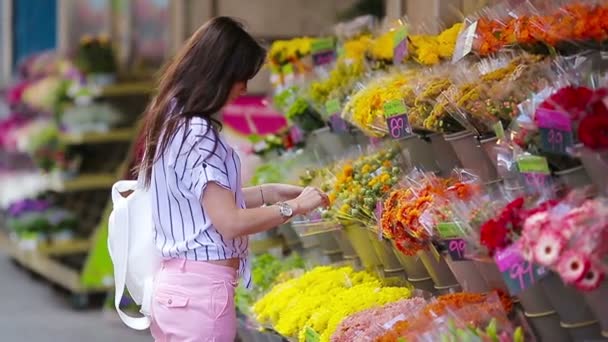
194,302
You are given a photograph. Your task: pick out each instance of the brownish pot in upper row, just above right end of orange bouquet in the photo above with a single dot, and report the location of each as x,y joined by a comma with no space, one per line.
471,155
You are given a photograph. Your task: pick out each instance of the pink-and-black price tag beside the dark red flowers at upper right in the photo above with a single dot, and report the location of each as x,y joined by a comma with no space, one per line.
555,130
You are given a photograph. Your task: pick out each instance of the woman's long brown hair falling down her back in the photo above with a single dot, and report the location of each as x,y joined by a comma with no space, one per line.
199,79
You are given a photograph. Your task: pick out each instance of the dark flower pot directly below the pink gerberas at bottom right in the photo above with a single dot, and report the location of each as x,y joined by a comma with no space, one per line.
575,316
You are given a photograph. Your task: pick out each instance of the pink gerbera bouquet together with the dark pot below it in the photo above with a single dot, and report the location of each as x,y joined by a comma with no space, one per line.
570,238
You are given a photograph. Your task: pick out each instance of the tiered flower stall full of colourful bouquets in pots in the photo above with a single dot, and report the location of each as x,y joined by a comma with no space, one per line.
464,168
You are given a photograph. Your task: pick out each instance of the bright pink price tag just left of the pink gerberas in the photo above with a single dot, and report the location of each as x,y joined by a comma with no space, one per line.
517,273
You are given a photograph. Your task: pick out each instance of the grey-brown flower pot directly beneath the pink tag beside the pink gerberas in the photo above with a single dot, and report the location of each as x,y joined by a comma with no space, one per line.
541,315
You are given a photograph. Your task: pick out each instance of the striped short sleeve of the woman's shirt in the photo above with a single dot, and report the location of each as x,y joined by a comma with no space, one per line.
199,157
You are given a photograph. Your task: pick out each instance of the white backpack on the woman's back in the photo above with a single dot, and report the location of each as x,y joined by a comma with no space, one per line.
134,254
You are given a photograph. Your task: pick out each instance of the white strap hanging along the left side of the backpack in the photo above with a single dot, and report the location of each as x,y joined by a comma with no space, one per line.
119,230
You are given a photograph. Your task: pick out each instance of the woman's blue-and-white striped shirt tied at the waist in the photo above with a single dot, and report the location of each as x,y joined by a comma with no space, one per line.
194,157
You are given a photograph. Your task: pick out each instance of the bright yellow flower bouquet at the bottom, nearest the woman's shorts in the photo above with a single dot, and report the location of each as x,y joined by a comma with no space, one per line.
321,298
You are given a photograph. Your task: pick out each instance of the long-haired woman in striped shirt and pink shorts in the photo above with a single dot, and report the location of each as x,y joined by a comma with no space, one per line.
202,215
